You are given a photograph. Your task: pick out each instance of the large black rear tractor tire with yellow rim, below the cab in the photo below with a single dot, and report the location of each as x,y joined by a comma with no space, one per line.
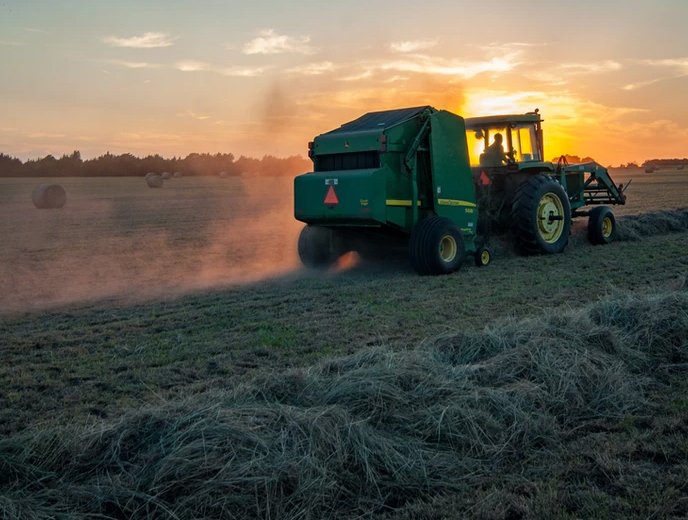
540,216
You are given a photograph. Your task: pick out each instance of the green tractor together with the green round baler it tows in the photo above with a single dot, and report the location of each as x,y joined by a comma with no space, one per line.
445,185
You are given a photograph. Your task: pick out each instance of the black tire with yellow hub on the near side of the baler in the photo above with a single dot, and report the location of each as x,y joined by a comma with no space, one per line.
436,246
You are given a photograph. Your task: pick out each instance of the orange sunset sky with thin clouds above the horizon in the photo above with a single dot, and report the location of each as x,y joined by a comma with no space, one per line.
263,77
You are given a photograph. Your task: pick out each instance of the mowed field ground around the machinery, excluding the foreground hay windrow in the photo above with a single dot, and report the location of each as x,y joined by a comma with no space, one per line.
181,295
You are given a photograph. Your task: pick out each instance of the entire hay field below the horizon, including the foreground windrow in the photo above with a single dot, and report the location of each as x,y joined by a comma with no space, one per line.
137,323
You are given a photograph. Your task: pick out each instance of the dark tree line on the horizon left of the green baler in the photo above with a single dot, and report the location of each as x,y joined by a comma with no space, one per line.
127,165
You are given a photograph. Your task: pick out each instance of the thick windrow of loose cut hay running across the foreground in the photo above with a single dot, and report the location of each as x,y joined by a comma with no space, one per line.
367,433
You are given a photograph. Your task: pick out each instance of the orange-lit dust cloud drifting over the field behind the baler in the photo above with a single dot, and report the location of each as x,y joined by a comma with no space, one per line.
117,239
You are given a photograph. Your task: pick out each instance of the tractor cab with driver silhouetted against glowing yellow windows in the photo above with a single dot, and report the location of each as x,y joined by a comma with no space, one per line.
496,141
